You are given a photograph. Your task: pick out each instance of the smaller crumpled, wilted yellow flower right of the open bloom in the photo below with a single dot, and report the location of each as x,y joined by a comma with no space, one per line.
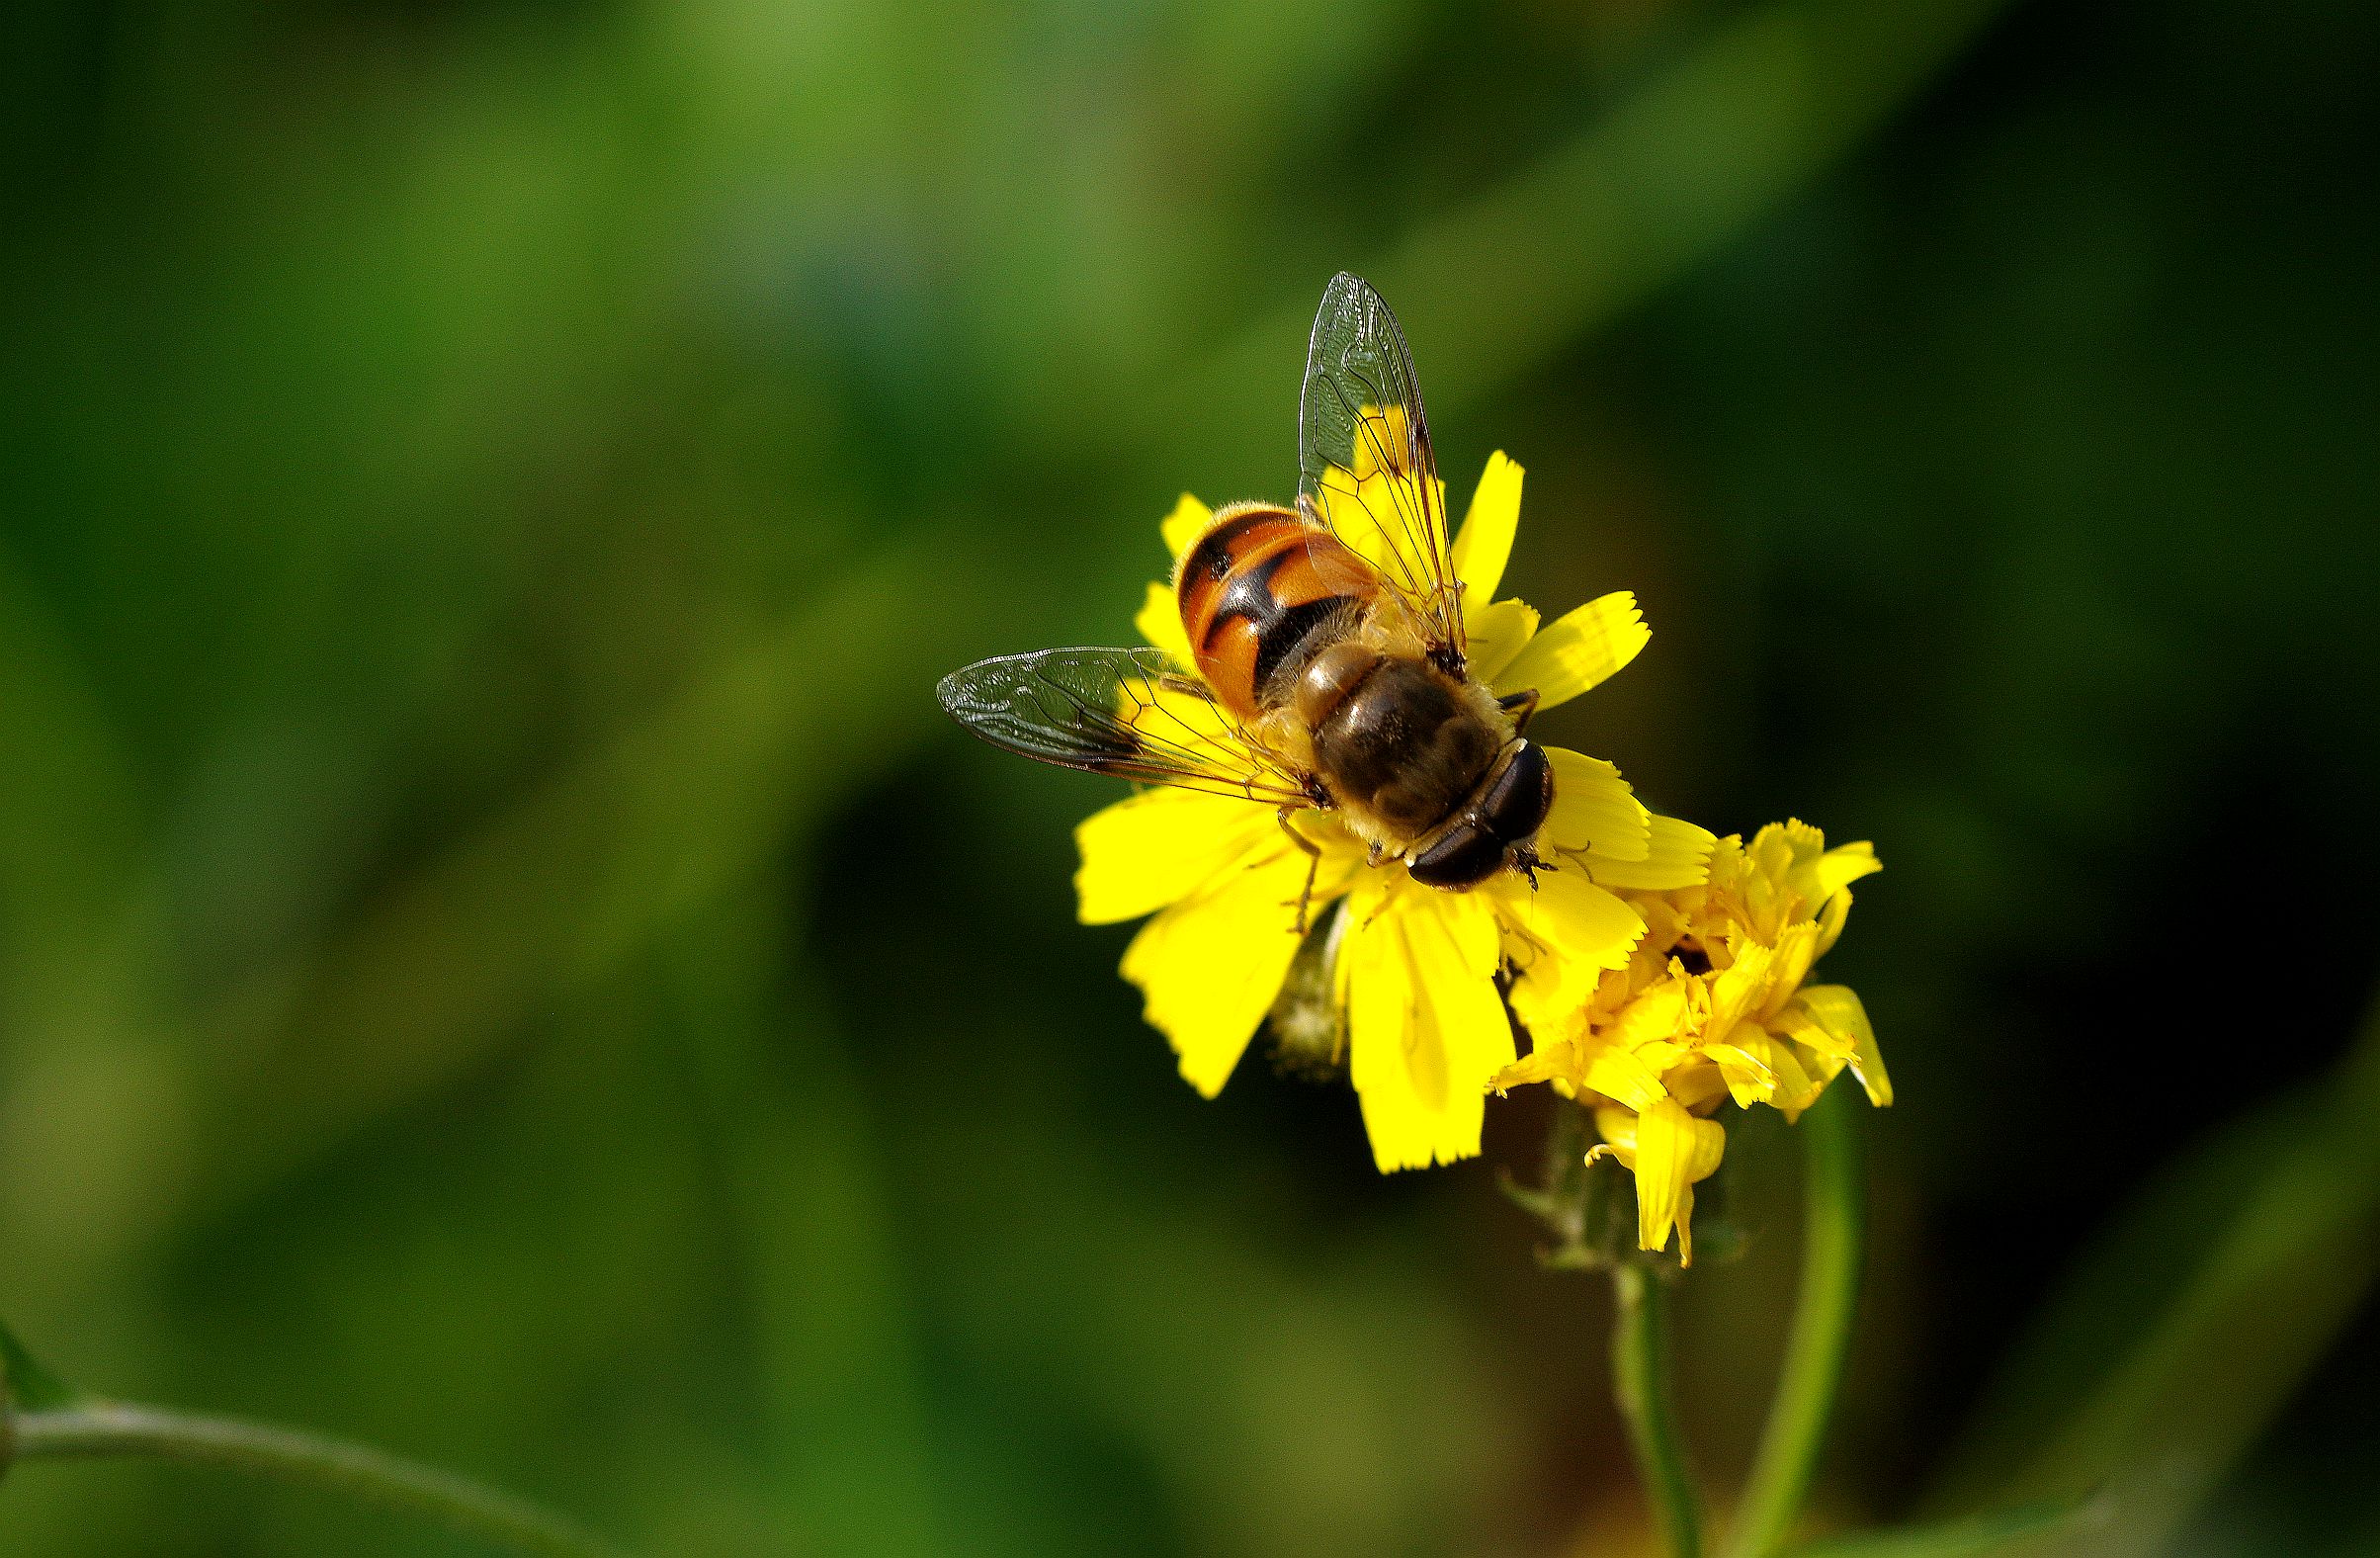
1712,1009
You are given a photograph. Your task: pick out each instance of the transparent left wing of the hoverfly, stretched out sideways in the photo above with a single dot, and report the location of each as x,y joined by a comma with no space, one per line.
1117,711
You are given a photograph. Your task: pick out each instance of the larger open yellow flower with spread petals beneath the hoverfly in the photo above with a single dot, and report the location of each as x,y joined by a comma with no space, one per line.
1415,971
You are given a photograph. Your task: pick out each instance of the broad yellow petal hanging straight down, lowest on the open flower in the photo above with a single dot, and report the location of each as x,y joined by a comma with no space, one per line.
1427,1028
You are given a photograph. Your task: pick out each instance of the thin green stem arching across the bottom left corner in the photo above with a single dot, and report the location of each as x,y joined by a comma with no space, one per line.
111,1428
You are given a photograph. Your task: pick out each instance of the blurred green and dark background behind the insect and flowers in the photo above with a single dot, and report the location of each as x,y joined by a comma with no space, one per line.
501,954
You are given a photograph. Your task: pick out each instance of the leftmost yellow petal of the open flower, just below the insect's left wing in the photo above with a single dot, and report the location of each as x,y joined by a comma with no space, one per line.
1160,847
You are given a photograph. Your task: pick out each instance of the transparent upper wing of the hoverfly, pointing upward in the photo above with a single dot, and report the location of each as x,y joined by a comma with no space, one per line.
1365,459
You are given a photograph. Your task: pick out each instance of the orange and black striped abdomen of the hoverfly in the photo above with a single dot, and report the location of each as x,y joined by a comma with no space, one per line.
1260,592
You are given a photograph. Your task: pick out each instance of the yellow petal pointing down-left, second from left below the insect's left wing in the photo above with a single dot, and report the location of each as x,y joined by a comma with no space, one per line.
1213,964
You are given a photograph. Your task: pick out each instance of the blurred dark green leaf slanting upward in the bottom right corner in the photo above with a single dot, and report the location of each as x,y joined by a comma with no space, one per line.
2253,1259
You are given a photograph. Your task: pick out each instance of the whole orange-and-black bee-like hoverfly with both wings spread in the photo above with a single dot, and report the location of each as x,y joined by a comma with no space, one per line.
1329,649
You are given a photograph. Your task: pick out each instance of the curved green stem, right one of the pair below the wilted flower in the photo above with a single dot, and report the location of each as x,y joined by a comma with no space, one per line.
1822,1330
